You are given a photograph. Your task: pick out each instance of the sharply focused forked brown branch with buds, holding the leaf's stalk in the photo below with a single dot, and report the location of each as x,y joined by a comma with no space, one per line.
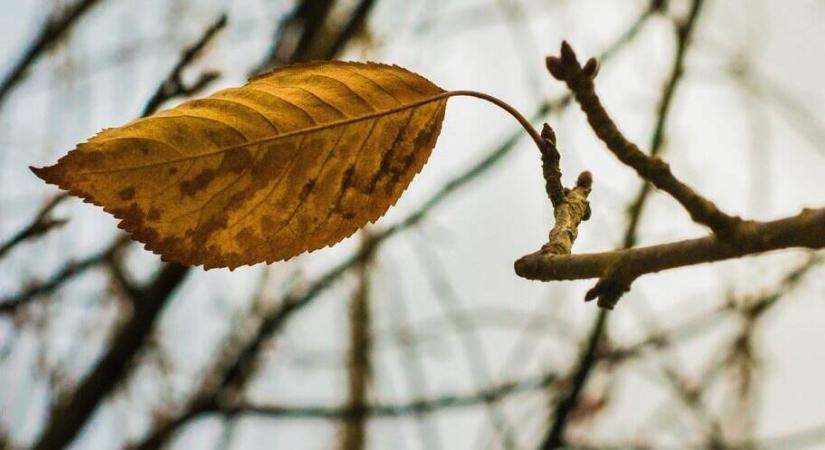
616,270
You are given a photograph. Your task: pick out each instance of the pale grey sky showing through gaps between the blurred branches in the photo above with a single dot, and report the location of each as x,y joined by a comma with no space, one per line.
752,156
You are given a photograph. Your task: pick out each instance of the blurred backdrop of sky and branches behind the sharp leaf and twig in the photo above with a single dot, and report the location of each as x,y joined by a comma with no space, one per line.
416,334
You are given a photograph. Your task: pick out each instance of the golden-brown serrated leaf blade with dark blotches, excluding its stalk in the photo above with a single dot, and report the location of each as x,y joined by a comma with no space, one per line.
295,160
